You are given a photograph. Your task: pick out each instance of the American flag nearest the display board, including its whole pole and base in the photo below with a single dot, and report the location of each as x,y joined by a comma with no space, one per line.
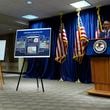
61,47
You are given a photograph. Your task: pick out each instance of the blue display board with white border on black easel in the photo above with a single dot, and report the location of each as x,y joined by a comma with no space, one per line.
32,43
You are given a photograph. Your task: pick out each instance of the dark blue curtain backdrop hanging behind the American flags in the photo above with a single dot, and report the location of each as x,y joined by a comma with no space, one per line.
70,70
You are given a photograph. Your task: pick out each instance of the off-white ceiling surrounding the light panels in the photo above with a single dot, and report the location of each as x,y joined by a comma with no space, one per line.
12,10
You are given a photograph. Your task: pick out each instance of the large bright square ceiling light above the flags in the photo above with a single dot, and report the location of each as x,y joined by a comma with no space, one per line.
80,4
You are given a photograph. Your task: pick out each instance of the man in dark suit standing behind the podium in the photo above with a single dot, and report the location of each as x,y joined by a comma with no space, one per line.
106,30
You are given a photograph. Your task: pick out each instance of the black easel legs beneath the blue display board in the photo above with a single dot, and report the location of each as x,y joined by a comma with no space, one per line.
36,78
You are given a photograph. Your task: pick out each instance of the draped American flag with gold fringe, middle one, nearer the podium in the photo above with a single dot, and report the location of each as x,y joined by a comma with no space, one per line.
80,42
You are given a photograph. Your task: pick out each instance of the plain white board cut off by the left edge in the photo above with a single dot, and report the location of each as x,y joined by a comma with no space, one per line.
2,49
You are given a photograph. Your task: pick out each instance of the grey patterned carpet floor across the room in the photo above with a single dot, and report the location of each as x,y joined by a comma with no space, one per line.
58,95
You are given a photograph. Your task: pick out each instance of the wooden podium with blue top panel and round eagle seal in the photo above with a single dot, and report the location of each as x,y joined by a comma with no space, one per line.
99,52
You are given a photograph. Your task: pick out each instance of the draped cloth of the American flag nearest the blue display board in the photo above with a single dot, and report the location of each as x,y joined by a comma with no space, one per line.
62,45
